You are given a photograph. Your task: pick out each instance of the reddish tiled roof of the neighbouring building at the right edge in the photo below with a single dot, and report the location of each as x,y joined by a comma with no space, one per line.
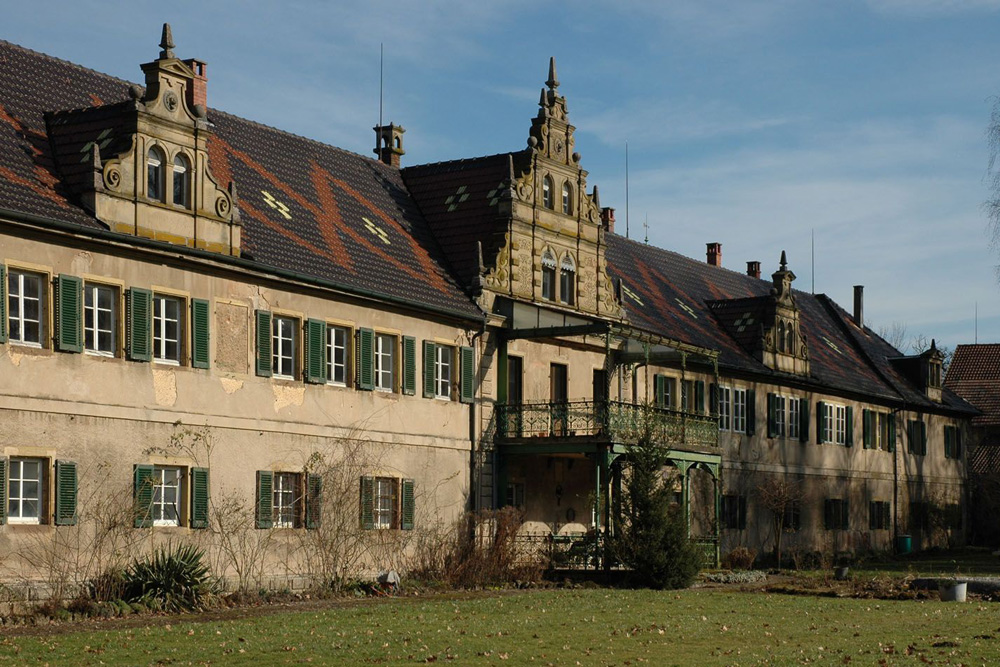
974,374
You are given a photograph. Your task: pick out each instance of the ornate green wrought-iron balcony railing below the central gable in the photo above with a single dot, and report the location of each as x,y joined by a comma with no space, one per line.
612,421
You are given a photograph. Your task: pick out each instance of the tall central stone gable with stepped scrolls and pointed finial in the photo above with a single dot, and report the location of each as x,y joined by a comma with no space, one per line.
553,250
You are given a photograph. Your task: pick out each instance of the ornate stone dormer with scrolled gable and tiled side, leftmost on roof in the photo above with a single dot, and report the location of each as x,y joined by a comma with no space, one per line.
148,159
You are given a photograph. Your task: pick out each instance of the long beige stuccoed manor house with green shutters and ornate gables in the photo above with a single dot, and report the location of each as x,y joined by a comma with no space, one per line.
213,328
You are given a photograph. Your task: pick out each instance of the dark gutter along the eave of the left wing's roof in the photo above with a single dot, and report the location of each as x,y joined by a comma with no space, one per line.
234,262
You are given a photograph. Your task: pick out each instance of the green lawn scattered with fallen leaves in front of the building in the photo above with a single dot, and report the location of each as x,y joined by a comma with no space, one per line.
561,627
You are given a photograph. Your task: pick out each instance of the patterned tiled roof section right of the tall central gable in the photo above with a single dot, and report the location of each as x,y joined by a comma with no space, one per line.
694,302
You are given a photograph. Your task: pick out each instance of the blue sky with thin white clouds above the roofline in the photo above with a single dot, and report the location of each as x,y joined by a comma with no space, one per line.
758,124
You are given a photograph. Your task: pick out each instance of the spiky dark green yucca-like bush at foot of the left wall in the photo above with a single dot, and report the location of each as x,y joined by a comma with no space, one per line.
173,579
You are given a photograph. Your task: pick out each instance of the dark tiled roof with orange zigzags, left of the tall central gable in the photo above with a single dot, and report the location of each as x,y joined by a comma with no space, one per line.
306,207
